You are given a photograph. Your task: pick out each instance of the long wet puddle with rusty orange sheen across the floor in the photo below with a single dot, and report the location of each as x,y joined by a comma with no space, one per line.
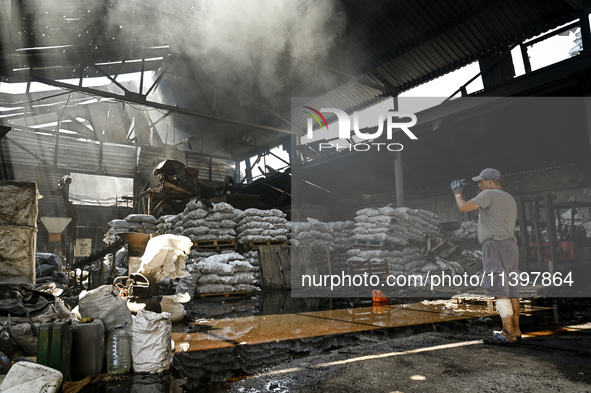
237,337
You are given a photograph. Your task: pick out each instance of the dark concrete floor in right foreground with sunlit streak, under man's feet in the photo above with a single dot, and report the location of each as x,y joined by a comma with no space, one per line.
556,361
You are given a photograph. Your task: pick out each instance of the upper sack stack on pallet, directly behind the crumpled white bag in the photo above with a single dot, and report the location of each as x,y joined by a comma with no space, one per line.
199,223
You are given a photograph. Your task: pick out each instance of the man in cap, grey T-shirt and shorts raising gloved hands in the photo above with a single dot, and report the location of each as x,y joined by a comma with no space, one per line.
500,257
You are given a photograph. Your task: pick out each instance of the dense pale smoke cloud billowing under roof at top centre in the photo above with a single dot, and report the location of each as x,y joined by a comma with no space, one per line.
249,45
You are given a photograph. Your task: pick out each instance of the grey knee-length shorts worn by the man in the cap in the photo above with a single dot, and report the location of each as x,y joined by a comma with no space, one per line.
499,259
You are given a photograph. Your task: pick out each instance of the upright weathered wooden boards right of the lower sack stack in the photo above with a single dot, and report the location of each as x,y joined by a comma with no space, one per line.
275,267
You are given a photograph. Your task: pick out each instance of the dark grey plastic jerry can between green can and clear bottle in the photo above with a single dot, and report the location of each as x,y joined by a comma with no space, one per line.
88,343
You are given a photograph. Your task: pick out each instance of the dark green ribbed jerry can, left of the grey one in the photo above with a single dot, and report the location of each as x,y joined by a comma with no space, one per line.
55,346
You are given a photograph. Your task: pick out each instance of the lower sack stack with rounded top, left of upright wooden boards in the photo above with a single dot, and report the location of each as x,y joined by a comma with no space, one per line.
224,273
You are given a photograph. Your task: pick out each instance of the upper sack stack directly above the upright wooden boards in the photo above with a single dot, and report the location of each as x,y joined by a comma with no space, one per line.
255,225
